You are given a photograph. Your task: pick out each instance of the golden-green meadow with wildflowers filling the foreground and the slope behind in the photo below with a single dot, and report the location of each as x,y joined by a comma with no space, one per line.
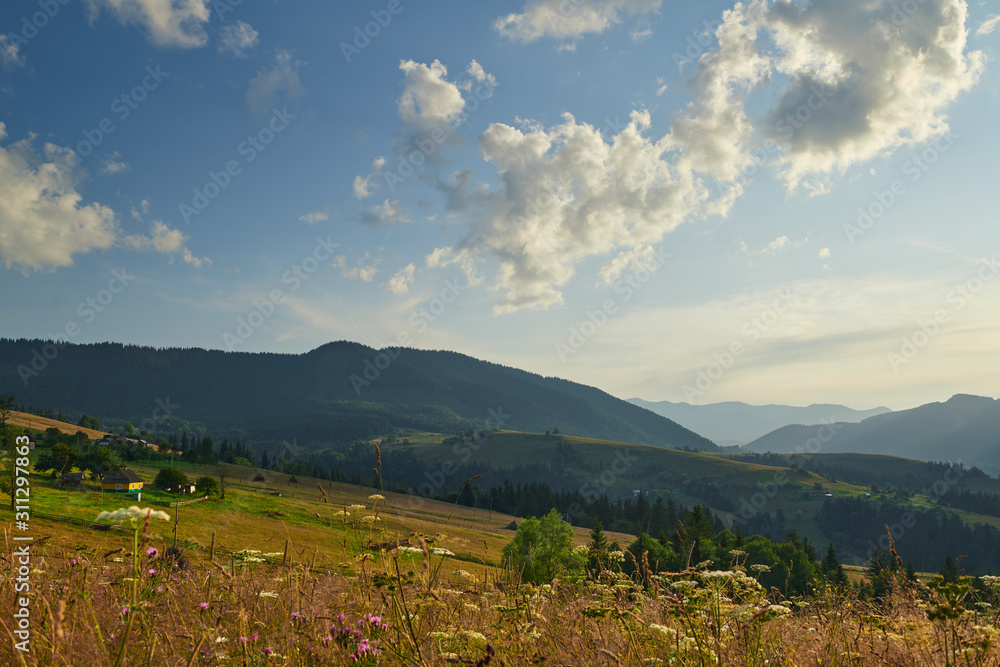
325,584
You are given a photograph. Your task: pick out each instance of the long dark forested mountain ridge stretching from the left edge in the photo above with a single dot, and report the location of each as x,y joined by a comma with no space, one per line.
337,393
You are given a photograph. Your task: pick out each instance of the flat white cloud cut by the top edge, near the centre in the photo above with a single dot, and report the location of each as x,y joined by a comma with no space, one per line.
569,20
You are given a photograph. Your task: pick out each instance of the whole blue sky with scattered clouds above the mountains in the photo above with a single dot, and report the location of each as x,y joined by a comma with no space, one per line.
772,202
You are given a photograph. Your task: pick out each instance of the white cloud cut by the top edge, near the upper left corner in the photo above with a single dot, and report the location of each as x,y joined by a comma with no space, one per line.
179,23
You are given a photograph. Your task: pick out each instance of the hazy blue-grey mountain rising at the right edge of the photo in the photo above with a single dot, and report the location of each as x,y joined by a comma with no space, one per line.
963,429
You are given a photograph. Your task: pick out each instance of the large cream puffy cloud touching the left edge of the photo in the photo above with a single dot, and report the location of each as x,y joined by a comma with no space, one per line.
43,222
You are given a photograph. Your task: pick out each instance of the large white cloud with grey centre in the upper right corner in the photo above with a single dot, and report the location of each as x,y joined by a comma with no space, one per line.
863,79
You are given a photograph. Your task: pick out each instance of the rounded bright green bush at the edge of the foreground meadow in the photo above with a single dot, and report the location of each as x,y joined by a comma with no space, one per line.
542,549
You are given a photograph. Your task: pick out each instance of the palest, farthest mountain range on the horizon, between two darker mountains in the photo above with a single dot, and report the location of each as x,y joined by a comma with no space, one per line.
735,423
